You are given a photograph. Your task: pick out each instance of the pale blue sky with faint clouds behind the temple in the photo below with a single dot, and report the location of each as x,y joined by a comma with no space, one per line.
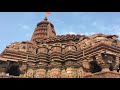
19,26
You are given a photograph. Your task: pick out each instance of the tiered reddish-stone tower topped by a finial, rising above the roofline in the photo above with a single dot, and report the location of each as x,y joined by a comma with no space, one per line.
44,29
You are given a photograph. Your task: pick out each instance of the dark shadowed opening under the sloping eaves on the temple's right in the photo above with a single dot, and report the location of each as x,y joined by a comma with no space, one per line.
94,67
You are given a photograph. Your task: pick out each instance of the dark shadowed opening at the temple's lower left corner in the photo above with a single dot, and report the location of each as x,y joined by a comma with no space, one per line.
13,70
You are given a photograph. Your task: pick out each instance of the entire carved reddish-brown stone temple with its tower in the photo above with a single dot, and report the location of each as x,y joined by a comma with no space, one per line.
48,55
